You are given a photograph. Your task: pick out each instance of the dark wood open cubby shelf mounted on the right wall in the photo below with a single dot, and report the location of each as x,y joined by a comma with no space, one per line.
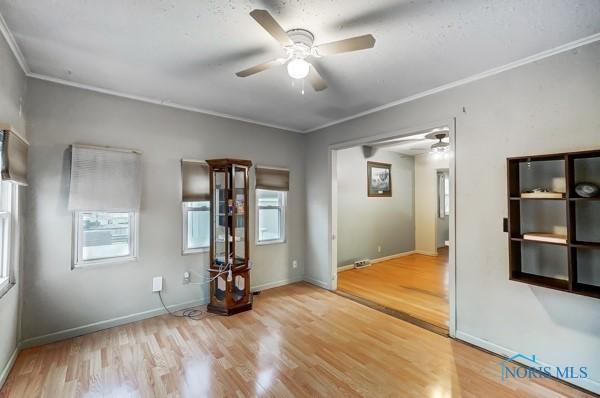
554,234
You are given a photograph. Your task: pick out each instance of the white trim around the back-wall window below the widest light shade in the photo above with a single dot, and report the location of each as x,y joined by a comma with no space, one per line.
77,263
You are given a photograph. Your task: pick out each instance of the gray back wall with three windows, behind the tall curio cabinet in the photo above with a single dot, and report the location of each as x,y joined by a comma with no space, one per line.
56,297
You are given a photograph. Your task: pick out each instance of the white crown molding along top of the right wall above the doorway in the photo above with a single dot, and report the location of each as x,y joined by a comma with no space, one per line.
491,72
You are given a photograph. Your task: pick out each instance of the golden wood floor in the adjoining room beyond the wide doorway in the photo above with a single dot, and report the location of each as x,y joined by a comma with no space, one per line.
416,285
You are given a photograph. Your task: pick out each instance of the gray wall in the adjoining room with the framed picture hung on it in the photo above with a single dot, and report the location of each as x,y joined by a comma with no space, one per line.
365,223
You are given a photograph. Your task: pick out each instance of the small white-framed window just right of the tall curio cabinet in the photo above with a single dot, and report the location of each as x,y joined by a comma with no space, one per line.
271,216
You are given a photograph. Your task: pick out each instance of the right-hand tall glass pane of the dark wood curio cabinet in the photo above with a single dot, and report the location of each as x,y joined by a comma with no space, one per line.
239,218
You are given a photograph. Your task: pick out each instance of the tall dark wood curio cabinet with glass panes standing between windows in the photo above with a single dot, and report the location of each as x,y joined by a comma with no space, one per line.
229,250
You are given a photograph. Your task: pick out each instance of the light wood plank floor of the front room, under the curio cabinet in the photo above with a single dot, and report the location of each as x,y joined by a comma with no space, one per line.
298,341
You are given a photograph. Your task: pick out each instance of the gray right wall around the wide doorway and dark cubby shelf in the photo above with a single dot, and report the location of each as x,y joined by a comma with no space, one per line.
551,105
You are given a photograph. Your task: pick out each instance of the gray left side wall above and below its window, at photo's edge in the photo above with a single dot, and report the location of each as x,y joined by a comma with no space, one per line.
12,92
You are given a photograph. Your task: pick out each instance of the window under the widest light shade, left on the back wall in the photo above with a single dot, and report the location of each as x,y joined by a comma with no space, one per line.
104,237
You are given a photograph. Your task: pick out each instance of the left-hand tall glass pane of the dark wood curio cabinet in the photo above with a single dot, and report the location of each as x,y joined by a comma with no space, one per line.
220,228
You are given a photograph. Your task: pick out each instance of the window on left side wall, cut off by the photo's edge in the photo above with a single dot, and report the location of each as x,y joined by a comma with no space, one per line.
6,189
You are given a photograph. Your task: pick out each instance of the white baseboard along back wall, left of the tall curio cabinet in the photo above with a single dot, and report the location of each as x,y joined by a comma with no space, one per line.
109,323
